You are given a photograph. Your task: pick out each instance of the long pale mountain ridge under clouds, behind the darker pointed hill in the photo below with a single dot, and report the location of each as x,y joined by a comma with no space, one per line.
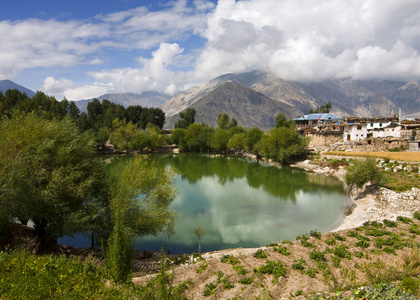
364,98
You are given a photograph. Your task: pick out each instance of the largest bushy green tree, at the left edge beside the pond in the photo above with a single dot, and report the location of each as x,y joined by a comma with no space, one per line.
48,175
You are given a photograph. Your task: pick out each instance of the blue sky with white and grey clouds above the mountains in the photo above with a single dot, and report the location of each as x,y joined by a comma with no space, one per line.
83,49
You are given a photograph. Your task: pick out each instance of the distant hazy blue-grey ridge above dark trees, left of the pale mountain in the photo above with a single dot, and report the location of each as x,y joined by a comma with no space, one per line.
146,99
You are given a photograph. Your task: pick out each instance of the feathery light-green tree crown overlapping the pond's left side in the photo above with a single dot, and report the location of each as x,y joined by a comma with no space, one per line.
143,195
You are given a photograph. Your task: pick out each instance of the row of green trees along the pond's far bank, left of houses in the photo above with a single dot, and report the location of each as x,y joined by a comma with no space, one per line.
282,143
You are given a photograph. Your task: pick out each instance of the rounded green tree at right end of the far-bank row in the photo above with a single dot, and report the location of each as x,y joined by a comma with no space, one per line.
283,144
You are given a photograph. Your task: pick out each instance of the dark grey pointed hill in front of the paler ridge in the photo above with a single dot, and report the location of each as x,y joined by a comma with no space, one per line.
248,107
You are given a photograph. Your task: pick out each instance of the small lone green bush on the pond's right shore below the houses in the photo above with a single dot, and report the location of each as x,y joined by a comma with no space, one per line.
361,172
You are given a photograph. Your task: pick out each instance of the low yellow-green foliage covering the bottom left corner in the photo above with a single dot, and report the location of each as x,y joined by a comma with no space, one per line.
26,276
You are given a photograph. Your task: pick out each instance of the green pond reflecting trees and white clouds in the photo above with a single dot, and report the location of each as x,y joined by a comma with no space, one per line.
242,203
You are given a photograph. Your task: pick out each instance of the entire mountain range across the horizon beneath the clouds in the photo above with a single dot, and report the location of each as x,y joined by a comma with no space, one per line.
255,98
